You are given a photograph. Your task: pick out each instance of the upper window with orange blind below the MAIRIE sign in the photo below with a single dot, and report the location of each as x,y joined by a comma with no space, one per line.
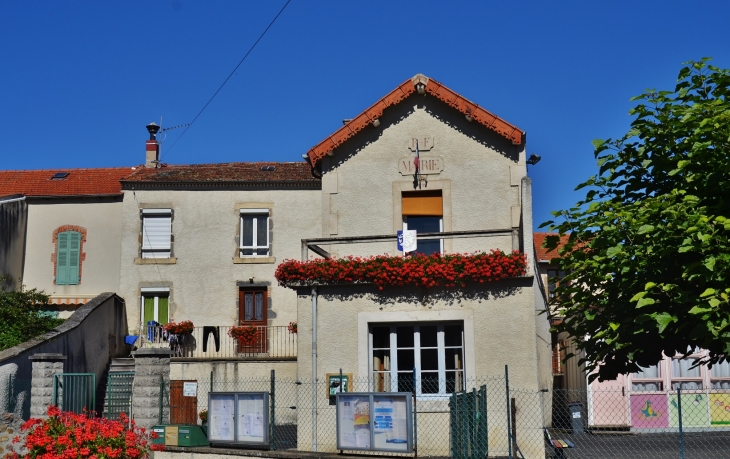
423,211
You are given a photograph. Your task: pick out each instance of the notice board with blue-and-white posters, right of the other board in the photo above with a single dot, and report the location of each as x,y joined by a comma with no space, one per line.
375,421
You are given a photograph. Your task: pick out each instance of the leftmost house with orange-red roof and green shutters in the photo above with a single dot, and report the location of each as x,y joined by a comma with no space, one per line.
66,231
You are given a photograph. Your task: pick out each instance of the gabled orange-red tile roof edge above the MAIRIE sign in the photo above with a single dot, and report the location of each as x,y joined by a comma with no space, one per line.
399,94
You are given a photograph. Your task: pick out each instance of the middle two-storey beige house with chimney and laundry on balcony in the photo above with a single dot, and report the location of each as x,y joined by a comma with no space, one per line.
201,243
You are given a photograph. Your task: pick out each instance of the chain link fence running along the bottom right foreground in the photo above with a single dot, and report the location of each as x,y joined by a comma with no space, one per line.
486,417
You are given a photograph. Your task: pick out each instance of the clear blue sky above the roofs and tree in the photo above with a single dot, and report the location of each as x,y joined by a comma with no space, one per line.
80,80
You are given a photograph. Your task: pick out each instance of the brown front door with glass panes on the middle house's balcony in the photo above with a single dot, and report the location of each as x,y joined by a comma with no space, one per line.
252,308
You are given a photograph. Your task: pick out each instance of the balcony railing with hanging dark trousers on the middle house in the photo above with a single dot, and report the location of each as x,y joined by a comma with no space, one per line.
214,343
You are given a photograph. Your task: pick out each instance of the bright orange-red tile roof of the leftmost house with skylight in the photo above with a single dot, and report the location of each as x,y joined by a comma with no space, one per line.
78,182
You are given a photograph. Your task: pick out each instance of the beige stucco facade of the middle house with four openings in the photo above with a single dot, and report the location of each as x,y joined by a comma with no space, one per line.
205,273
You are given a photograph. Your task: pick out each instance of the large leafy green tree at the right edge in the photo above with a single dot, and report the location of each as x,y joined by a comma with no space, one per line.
648,254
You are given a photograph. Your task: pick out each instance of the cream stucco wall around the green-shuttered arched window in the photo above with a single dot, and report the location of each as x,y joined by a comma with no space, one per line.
100,221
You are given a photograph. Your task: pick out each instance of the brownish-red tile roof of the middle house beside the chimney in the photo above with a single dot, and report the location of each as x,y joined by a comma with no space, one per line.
226,172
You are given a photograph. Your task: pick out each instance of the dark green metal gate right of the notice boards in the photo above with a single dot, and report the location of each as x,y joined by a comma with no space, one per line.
469,424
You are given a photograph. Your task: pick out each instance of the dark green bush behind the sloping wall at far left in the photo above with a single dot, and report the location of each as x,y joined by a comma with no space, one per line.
21,315
